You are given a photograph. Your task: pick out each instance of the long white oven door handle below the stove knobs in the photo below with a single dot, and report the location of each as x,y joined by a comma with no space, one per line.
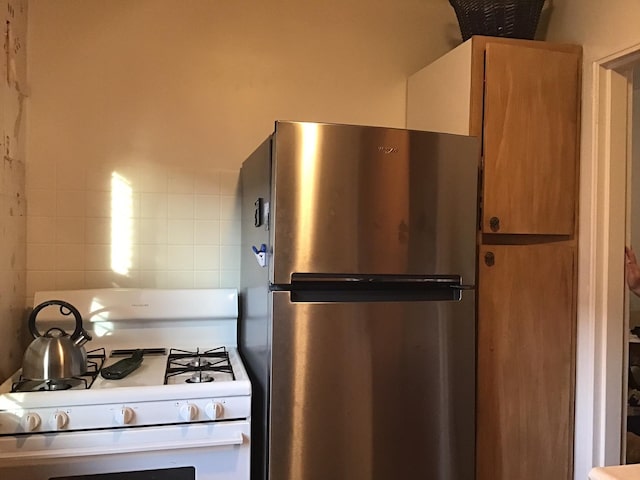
235,439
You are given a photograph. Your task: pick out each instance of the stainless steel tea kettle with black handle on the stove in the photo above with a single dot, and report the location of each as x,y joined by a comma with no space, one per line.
56,354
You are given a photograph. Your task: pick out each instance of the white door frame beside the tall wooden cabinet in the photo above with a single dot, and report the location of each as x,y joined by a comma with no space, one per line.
601,329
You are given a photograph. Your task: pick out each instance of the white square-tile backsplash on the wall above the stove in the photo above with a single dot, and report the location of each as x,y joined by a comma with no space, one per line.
181,228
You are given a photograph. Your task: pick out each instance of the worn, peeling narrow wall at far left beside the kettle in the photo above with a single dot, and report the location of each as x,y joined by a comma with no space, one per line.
12,186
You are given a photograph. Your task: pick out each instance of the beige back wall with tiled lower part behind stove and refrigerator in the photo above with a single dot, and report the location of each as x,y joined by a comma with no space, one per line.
171,97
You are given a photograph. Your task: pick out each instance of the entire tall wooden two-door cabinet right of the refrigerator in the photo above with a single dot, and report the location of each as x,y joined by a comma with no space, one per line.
522,98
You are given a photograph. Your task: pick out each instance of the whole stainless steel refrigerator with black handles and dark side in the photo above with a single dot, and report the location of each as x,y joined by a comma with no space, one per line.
358,302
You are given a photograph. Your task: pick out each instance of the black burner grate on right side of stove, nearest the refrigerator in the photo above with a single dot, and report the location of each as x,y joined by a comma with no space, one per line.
201,364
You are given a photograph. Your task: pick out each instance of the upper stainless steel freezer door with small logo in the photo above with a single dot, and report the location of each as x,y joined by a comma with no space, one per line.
352,199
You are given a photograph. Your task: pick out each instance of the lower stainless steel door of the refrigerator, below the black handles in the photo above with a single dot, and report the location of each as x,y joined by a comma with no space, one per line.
372,391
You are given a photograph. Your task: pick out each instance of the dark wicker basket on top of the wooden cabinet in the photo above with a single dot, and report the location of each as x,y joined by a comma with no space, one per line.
498,18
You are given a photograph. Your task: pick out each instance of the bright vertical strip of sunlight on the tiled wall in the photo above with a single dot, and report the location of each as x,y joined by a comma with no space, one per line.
121,224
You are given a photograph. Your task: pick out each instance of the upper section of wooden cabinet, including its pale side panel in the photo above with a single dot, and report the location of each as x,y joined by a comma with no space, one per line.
522,97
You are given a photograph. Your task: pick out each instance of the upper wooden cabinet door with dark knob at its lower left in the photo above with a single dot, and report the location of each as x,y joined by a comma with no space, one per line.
530,140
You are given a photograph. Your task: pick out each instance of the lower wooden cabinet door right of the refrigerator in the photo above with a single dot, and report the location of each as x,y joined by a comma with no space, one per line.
525,362
